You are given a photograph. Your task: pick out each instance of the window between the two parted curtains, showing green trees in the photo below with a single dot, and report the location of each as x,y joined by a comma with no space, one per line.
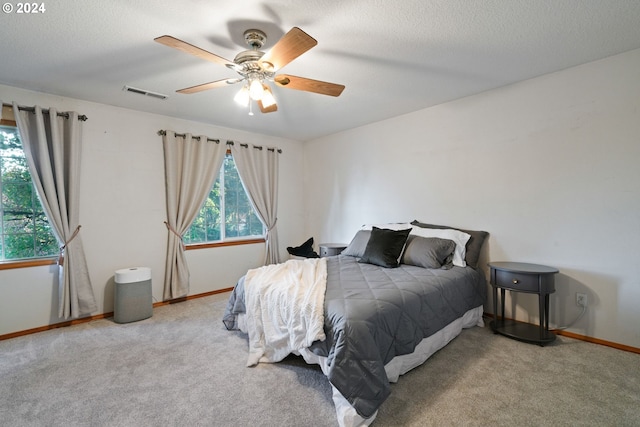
227,214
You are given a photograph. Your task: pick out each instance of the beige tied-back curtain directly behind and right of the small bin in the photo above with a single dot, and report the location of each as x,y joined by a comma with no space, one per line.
191,166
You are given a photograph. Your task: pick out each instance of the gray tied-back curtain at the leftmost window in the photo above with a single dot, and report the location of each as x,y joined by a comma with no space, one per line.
52,145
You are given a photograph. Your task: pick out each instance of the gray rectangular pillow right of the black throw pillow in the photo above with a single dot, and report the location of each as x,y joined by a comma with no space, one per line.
429,252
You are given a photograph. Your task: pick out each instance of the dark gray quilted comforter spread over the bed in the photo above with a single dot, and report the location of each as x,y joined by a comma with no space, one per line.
373,314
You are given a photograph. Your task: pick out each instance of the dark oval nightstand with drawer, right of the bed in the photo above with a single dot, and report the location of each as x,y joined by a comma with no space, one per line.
529,278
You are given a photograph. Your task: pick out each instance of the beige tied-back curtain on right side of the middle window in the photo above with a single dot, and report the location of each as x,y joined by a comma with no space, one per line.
258,169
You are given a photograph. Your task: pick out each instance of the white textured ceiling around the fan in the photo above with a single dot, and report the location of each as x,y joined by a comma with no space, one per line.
393,57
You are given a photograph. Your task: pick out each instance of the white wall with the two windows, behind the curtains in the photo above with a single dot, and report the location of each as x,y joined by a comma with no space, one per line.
123,209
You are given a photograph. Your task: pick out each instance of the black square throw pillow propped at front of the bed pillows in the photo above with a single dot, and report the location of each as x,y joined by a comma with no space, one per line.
385,247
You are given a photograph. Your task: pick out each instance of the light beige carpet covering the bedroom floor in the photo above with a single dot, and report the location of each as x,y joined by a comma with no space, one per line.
181,367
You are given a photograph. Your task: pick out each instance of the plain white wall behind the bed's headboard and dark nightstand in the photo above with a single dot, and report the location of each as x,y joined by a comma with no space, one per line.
548,166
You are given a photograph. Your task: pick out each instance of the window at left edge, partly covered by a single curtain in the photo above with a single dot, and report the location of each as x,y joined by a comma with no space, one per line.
24,227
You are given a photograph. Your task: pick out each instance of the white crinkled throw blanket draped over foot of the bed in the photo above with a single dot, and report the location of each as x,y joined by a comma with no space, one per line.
285,308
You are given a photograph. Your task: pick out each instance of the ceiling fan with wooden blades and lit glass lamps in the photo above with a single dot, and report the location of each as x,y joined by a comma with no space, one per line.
257,68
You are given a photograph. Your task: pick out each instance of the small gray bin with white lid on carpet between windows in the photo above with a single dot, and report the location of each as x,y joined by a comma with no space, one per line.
132,296
